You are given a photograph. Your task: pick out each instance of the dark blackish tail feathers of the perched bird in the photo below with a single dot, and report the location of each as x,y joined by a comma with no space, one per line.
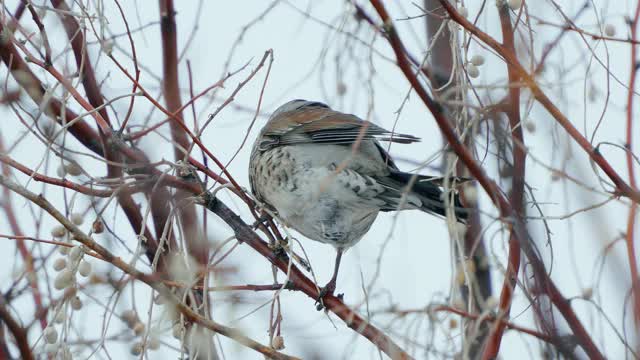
429,190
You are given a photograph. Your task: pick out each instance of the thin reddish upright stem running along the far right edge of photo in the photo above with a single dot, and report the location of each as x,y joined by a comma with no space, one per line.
631,220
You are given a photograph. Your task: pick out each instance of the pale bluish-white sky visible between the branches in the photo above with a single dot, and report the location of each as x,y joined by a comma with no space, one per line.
416,266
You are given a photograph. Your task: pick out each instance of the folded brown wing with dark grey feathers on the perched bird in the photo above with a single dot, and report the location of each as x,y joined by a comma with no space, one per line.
322,125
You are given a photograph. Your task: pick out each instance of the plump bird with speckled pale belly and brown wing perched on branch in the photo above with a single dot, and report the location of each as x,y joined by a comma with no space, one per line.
324,173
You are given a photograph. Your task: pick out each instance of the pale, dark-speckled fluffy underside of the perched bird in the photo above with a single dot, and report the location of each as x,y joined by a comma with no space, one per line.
312,196
